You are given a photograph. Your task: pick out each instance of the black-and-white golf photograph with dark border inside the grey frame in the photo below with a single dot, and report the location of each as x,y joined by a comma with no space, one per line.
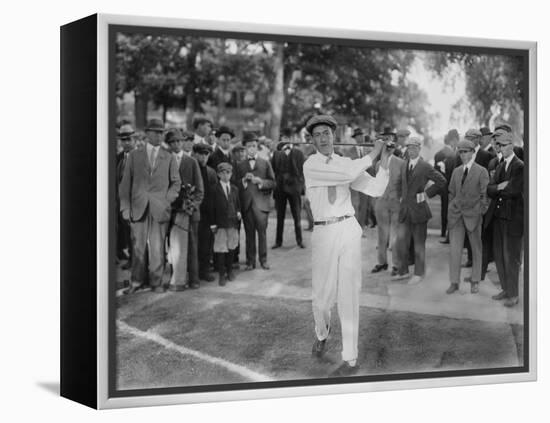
293,210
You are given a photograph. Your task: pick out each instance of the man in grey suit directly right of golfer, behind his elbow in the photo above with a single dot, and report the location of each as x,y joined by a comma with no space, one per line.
386,209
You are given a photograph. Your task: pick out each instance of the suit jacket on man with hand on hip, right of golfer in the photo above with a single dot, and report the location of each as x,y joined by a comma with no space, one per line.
415,183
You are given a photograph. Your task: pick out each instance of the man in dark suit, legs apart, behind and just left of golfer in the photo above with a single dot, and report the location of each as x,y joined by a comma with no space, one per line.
288,164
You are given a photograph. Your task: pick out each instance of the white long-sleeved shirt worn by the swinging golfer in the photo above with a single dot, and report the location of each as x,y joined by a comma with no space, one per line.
343,173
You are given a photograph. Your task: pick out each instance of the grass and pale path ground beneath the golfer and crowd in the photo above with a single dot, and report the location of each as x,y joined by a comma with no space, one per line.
260,326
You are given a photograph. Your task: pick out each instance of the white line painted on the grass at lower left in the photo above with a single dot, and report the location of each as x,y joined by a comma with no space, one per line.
154,337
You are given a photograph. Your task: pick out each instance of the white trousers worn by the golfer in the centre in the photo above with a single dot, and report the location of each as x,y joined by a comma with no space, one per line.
336,277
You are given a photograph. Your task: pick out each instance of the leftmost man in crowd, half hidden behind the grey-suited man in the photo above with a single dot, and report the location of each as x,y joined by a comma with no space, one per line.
124,238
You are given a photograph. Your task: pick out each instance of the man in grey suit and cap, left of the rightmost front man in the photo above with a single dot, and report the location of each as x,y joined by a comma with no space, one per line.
467,205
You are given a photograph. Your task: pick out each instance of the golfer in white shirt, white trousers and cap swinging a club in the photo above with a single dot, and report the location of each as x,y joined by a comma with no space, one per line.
336,239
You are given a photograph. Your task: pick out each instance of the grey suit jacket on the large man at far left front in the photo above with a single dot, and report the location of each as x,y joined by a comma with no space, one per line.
144,187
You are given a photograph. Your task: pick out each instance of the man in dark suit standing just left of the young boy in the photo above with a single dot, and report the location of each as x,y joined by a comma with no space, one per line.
205,238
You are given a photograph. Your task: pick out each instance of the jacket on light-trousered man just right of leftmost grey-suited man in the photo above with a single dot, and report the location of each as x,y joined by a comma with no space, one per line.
190,176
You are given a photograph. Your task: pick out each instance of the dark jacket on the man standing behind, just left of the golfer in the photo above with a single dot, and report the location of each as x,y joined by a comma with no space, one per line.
289,178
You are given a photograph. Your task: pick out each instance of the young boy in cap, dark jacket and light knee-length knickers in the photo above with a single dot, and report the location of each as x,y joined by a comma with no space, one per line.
225,216
